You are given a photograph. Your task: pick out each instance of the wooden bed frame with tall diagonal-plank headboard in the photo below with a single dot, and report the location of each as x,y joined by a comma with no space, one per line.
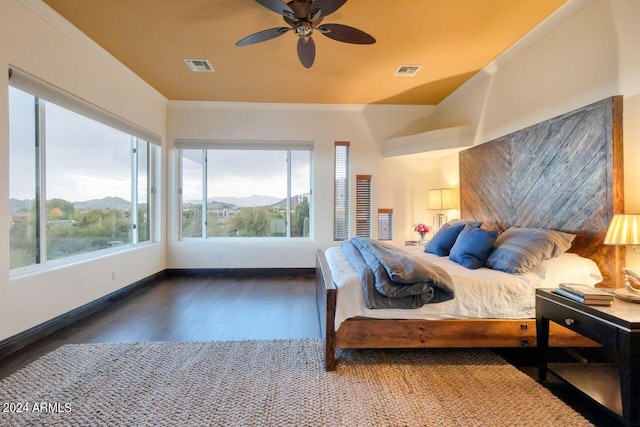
563,174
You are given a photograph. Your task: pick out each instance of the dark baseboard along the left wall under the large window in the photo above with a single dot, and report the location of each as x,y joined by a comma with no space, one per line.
23,339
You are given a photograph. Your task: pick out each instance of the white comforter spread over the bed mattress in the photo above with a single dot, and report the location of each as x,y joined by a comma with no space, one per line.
482,293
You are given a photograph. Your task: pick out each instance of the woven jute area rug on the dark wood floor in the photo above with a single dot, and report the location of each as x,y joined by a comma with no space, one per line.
274,383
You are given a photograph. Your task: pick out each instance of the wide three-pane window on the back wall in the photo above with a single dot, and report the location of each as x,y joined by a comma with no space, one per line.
246,191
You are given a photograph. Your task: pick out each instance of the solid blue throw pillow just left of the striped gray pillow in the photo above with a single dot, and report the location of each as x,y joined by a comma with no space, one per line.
473,246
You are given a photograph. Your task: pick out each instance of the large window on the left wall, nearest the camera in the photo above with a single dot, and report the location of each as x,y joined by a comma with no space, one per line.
76,185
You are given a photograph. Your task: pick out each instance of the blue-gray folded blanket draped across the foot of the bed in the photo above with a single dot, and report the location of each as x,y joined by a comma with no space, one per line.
391,279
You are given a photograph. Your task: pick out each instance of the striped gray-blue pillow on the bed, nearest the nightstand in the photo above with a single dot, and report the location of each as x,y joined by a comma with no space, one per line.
519,250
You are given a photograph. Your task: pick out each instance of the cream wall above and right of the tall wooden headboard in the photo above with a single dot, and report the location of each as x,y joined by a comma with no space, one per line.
591,55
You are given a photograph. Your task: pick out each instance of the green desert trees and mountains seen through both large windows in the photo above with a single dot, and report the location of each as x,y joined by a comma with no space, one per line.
79,227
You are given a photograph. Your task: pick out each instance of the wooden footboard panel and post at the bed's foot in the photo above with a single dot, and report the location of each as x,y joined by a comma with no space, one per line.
326,293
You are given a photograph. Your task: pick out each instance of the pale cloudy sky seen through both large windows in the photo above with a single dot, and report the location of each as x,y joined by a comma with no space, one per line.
87,160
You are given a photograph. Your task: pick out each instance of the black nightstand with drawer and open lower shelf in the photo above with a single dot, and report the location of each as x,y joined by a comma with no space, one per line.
614,386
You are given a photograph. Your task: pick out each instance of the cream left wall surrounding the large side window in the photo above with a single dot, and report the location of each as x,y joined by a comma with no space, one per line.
37,40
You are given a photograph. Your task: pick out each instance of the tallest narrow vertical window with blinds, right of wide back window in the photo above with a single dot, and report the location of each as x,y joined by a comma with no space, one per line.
341,190
